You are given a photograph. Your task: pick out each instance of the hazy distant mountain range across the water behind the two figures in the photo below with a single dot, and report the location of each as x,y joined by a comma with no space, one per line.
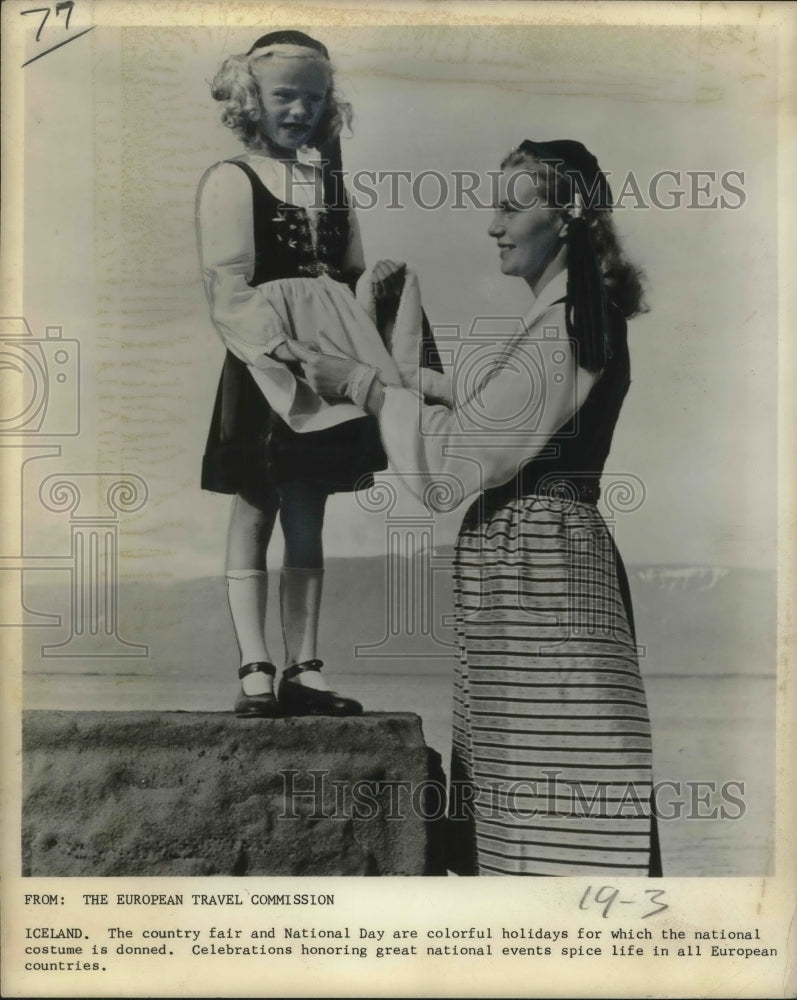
692,620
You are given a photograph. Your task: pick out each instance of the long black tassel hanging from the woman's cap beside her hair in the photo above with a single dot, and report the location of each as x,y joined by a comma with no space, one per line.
586,307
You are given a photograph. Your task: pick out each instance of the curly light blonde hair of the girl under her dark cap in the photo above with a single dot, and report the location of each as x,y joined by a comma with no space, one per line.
236,88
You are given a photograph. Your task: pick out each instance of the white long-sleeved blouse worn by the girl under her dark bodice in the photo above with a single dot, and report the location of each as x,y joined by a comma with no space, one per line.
243,316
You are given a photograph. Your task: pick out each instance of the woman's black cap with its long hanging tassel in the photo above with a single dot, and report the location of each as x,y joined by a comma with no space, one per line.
586,303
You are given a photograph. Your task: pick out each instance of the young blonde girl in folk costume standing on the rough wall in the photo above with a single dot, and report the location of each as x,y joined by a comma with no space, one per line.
265,217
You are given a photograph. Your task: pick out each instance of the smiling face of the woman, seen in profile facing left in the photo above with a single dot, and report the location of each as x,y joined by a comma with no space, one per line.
527,232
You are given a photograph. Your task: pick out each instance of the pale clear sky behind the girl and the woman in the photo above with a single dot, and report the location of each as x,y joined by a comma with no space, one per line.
119,131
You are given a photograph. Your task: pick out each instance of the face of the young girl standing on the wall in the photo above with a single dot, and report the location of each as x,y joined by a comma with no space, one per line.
293,96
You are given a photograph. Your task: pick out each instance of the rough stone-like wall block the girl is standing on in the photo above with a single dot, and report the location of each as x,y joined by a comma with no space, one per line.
184,793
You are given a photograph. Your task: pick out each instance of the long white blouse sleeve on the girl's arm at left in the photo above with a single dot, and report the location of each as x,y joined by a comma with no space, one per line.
244,318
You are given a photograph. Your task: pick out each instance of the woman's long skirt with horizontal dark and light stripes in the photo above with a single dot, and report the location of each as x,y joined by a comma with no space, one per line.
551,767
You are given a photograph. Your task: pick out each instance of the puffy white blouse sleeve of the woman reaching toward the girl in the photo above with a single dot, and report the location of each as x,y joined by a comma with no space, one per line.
443,452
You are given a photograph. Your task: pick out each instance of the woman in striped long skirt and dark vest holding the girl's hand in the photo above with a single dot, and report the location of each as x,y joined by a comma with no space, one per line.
551,768
